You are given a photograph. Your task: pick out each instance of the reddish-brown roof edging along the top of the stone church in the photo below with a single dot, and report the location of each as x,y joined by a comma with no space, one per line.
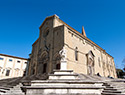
83,36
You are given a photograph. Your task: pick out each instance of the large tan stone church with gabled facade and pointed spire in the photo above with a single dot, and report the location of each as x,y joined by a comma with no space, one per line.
61,47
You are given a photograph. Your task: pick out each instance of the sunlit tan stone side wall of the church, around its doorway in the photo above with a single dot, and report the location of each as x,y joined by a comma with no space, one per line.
103,62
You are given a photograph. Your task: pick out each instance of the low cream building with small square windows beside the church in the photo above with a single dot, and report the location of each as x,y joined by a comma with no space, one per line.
12,66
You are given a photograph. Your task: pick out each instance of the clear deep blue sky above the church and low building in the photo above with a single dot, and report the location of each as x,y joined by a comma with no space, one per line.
103,20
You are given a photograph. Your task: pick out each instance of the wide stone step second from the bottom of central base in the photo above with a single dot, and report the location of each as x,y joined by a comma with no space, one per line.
66,83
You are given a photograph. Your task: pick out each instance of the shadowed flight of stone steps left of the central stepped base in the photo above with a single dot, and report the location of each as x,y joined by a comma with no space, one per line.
11,86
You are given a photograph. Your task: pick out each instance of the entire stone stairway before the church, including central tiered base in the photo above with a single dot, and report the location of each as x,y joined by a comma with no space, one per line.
62,82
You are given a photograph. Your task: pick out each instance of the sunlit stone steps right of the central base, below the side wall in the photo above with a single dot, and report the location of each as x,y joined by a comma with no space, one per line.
112,86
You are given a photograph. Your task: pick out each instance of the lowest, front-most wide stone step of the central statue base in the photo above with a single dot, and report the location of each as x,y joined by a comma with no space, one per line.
63,90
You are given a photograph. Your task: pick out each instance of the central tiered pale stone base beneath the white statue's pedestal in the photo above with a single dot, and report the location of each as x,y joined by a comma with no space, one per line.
64,82
